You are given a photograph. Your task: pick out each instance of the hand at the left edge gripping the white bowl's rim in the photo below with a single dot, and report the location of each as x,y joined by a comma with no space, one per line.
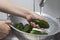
4,28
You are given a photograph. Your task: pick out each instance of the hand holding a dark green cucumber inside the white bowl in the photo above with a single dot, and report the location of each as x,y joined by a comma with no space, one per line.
34,16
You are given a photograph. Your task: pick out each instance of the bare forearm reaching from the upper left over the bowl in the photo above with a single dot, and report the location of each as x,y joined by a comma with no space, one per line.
8,7
